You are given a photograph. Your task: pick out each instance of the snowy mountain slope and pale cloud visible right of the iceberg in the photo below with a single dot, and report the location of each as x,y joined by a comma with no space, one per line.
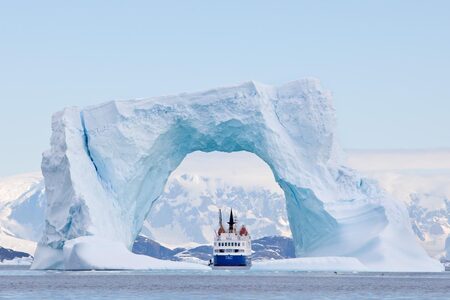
419,178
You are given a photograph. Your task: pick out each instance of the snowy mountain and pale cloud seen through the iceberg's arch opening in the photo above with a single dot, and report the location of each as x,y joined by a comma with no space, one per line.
186,212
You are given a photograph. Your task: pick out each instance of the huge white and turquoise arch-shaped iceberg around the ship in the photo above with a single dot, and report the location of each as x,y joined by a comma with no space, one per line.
108,163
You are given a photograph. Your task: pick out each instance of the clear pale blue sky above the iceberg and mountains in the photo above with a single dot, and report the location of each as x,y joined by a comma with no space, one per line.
387,63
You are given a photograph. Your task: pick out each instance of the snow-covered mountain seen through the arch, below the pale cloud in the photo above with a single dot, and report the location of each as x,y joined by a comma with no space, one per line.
187,212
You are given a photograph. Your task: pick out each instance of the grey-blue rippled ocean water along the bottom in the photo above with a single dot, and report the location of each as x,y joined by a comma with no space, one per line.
25,284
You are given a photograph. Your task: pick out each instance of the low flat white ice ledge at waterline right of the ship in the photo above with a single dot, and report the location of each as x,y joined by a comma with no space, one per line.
338,264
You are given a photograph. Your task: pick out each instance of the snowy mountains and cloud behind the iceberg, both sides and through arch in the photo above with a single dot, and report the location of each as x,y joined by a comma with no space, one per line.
186,213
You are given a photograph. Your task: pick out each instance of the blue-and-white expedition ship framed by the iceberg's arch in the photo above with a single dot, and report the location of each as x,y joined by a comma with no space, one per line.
231,248
